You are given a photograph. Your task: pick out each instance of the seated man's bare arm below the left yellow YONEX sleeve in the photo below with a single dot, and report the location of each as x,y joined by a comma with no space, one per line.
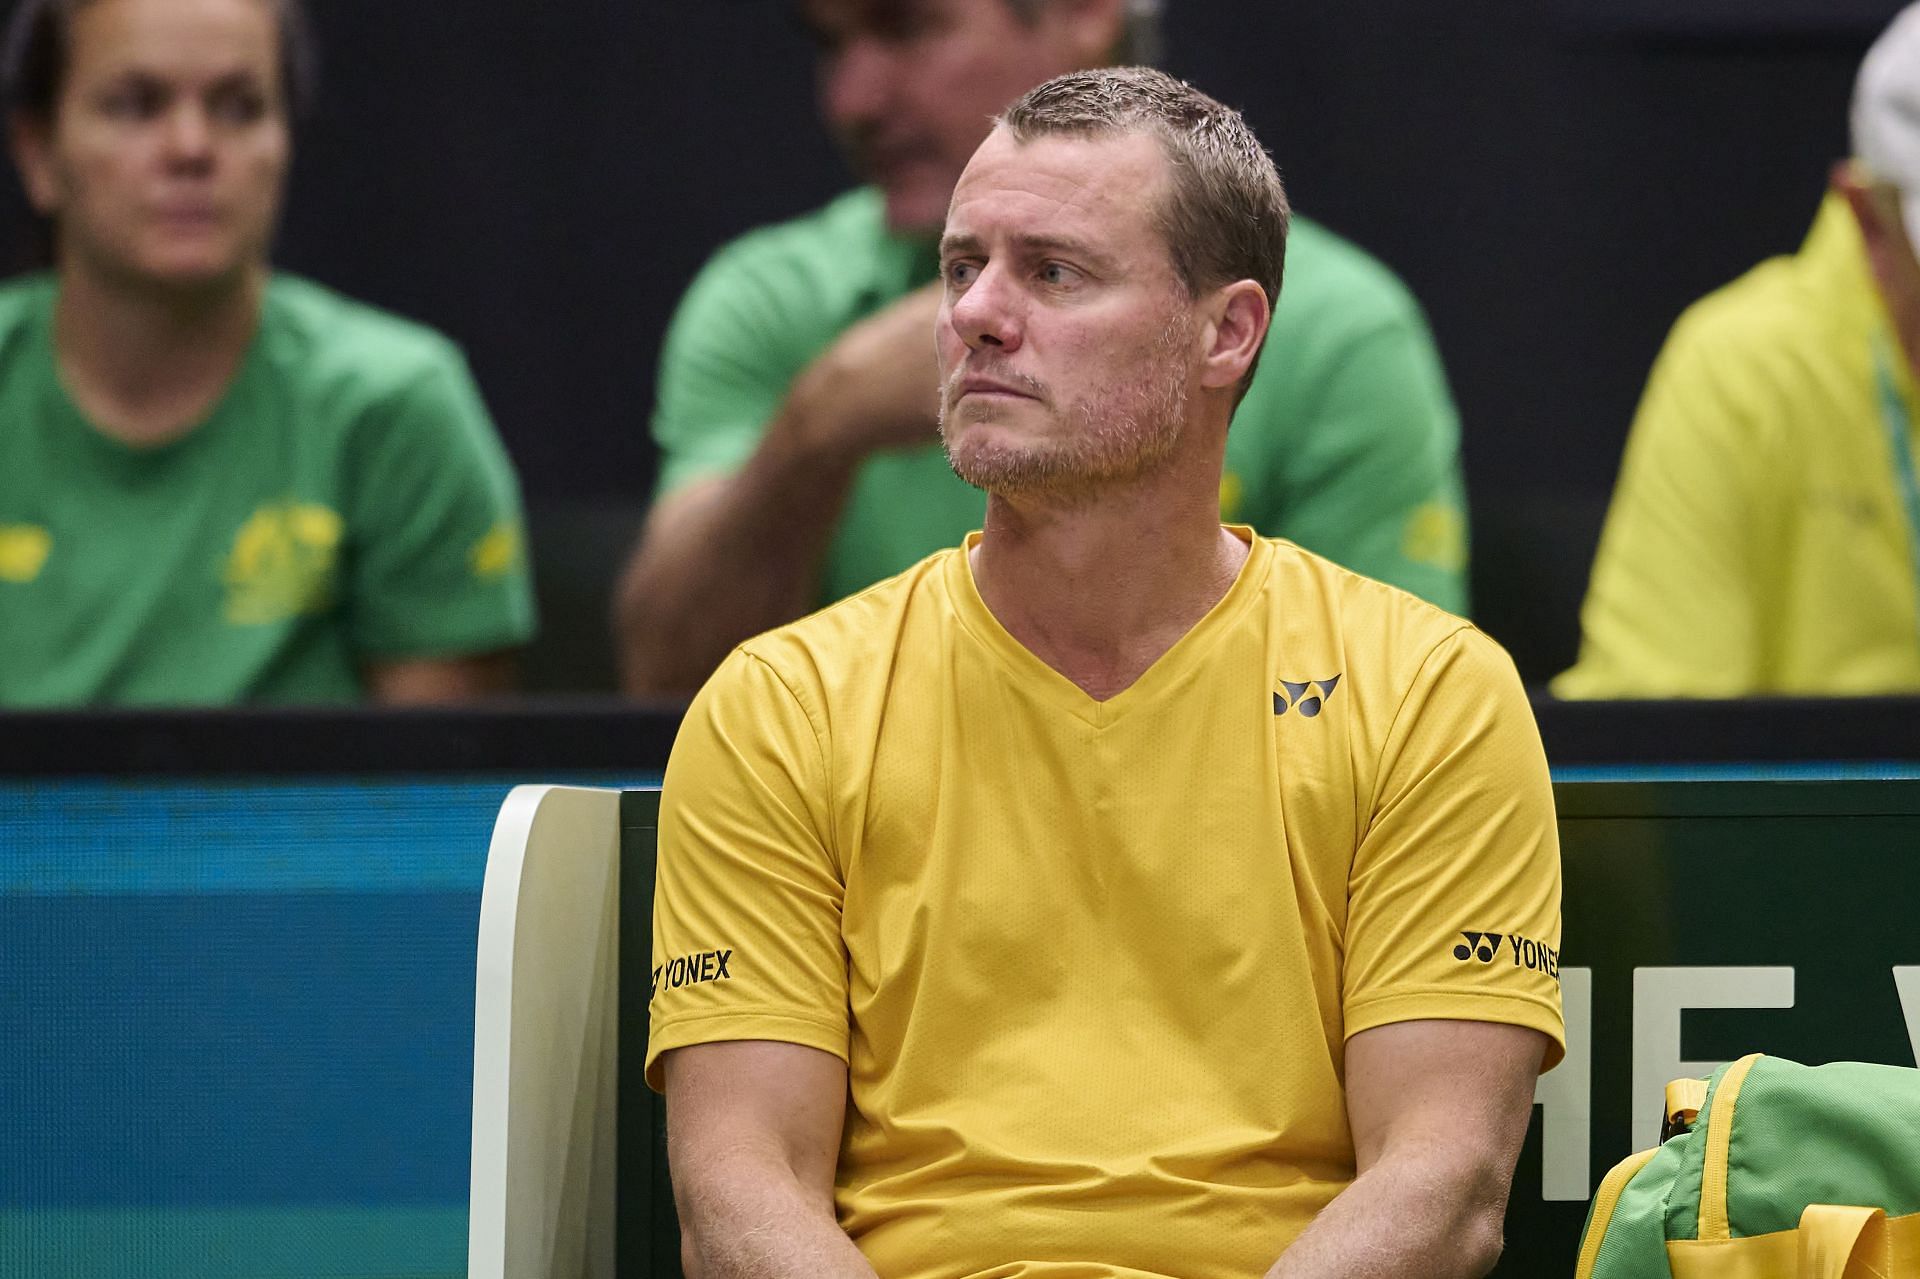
754,1138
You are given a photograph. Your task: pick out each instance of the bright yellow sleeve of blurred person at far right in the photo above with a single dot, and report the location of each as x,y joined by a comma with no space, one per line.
1673,608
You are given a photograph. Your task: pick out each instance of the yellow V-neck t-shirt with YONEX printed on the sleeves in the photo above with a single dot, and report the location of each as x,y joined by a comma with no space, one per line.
1093,963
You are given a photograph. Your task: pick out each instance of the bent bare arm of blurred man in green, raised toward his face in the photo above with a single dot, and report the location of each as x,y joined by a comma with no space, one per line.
740,548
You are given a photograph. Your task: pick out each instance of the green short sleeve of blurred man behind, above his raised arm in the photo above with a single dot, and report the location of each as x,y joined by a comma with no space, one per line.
725,368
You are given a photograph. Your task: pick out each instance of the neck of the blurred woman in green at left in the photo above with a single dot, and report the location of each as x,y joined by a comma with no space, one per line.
149,366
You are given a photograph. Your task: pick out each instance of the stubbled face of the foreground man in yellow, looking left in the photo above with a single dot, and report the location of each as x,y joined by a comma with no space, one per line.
1067,341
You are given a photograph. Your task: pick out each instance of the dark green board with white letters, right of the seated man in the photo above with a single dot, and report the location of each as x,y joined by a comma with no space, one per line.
1706,921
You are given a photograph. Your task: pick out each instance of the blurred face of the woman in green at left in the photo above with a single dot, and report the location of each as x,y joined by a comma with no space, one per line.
168,151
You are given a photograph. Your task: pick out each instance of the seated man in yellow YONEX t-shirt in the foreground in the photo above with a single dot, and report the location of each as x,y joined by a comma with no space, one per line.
1118,894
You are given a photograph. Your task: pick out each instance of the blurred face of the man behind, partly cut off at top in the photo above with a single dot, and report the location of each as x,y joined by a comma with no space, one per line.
911,87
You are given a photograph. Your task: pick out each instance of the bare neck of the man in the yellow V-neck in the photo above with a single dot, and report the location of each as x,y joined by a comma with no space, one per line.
1101,591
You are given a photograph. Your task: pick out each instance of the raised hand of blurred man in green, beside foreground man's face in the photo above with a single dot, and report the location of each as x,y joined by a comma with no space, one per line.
878,387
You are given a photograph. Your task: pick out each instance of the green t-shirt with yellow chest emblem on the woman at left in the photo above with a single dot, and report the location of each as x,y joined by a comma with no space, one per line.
347,502
